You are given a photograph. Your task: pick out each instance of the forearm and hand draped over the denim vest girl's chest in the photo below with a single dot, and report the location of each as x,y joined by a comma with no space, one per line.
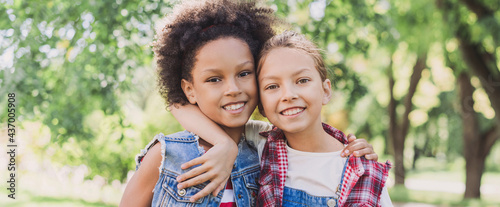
216,163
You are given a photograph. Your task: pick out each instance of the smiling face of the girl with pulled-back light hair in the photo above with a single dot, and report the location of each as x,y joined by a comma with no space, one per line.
291,90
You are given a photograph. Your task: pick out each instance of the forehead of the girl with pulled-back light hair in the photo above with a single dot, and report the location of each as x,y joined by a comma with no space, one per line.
290,59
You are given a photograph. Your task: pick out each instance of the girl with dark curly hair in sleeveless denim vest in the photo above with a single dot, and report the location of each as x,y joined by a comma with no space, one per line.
205,56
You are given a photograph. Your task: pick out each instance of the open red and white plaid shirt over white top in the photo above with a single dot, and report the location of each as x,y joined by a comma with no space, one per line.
363,179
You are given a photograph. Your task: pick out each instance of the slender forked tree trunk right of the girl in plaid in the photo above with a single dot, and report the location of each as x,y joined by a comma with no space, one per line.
397,131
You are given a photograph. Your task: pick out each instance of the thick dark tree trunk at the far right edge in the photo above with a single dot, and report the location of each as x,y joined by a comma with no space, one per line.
483,64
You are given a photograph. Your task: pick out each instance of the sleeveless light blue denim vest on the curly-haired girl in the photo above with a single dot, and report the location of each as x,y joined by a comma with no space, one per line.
182,147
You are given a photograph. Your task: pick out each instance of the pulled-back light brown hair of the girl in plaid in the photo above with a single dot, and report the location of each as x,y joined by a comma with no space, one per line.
294,40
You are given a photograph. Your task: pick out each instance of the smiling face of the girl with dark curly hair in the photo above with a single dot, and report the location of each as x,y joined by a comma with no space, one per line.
223,82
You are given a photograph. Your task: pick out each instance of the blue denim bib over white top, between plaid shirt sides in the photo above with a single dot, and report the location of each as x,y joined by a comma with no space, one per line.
298,198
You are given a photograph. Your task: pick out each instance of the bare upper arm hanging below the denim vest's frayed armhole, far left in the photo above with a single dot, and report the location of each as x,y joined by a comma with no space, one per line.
139,190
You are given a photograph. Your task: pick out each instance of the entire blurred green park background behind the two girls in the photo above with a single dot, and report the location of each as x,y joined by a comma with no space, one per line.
419,79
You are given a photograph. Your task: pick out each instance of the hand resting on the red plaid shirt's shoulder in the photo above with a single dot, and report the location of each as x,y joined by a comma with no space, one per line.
359,147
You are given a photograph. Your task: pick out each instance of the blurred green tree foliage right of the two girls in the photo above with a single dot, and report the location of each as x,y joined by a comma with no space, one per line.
368,33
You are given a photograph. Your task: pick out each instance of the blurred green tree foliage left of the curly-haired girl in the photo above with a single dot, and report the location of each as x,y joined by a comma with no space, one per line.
70,60
